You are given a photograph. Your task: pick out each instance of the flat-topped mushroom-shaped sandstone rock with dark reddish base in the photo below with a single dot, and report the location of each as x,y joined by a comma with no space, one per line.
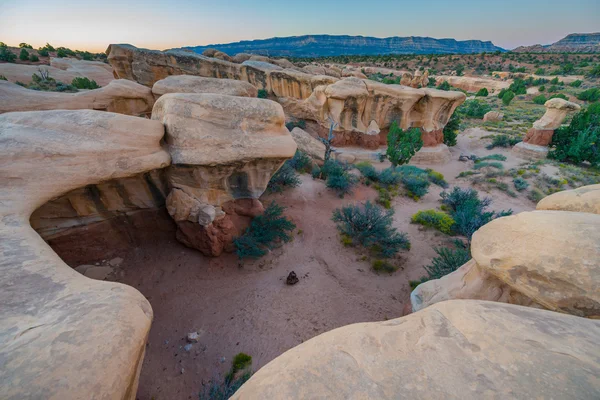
224,149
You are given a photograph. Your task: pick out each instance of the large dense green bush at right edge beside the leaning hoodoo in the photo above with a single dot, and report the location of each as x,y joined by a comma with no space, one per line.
580,141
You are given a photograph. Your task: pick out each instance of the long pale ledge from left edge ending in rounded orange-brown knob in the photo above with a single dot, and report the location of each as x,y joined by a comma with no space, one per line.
119,96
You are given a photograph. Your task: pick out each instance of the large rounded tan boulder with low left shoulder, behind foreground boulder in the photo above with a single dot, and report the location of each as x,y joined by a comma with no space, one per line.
547,259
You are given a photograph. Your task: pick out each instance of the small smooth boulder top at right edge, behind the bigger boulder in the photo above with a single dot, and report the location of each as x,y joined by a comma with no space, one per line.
583,199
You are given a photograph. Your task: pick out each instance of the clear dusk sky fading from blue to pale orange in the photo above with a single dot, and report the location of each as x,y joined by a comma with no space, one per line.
93,25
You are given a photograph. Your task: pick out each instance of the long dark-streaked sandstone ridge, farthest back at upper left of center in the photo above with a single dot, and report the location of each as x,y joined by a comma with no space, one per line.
149,66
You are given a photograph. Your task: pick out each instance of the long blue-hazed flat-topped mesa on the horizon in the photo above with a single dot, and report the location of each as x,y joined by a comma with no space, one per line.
328,45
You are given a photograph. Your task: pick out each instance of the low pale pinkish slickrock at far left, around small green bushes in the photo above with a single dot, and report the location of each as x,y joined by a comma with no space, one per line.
61,72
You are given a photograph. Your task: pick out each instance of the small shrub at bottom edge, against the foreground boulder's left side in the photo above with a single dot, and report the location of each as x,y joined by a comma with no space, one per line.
223,390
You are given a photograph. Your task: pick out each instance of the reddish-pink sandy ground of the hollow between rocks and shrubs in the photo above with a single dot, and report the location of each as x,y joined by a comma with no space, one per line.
249,308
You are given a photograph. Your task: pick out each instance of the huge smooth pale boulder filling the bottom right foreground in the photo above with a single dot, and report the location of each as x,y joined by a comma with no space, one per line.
452,350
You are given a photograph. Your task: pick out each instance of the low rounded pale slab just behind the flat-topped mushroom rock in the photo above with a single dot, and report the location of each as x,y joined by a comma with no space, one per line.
197,84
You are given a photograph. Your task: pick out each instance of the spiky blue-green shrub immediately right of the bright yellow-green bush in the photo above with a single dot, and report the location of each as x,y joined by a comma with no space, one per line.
468,210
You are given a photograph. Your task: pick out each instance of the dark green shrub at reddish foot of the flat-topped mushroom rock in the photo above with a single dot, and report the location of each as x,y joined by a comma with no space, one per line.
264,232
